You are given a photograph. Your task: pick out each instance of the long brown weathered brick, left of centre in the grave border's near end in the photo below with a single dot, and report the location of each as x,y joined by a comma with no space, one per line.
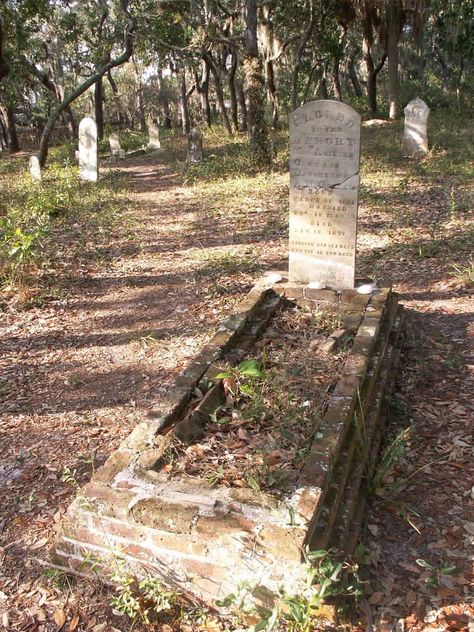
163,515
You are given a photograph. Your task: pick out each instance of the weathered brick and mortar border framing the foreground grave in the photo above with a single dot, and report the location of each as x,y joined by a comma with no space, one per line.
206,541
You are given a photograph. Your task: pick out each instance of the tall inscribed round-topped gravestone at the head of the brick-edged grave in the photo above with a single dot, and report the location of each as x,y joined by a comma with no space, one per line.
324,191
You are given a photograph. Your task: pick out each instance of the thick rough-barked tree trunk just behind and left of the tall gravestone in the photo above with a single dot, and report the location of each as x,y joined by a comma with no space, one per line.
258,132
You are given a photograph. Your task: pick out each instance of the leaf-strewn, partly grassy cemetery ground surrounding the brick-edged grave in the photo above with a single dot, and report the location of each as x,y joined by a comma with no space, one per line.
126,301
